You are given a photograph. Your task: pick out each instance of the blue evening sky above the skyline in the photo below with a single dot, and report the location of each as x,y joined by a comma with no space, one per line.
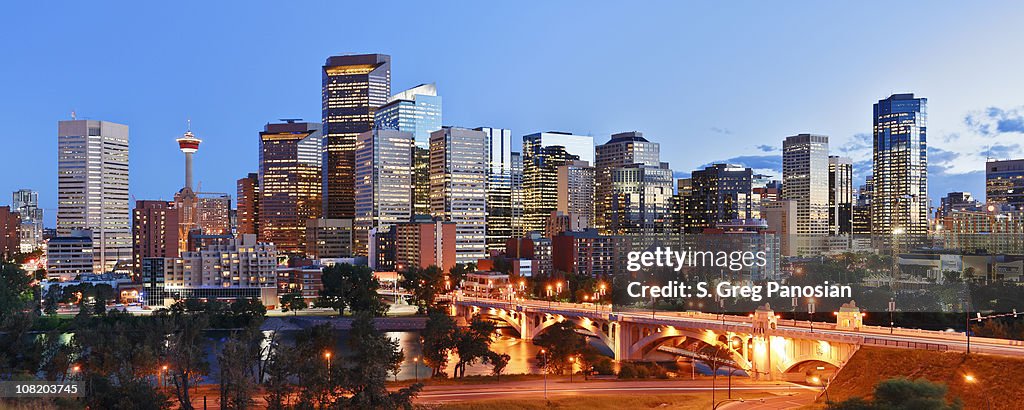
710,81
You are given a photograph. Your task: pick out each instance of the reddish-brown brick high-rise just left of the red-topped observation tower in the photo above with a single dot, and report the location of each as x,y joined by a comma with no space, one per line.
155,229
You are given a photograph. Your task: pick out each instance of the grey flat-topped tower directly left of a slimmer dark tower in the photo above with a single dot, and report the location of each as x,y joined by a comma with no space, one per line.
805,180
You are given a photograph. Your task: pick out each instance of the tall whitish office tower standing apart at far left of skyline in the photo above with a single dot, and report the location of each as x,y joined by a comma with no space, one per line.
93,188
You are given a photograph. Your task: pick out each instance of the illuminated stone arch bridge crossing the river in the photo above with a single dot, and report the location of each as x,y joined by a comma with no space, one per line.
757,344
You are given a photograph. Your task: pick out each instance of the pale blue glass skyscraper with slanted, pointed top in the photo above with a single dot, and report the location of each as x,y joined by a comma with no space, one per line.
417,111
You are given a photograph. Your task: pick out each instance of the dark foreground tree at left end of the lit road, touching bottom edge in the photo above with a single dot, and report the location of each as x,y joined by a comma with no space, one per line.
375,357
